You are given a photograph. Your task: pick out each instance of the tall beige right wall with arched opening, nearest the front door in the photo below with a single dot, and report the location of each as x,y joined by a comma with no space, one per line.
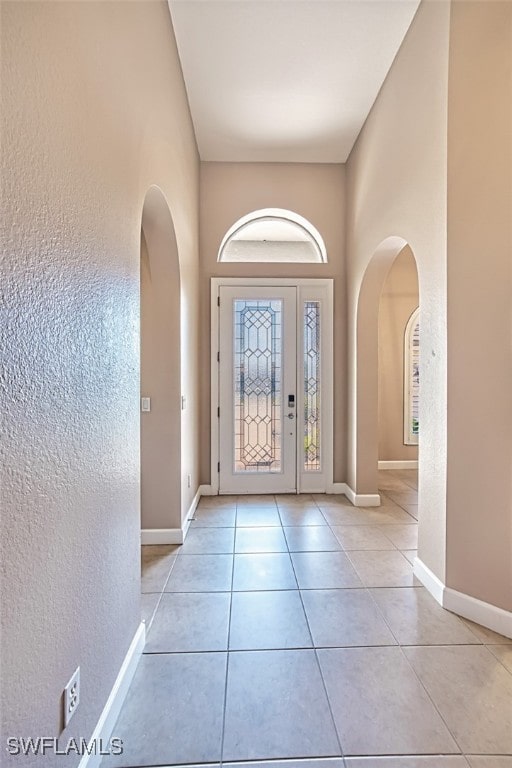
396,187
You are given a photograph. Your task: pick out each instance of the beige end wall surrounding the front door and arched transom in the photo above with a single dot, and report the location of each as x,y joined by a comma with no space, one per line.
231,190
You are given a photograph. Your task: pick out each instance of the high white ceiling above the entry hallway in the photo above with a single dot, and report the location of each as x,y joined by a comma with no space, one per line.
285,80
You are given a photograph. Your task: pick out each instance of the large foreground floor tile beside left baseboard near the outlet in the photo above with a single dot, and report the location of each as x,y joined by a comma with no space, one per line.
173,711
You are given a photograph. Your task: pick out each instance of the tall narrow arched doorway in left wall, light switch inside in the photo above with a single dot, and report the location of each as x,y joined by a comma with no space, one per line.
160,373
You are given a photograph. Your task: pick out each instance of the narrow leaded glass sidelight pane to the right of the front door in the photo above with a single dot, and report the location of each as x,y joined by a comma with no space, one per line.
312,386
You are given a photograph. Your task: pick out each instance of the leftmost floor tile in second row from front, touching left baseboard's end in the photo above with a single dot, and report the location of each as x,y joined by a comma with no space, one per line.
192,621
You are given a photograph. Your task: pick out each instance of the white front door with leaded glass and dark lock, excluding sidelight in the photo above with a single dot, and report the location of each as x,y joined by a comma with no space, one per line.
258,390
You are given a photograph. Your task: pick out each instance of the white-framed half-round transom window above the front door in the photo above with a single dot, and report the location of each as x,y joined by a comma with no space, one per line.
273,235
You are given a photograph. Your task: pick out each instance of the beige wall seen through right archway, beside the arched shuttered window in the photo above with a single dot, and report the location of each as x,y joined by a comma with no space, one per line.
398,300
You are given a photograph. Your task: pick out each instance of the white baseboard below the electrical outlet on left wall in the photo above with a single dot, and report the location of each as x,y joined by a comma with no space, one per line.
108,717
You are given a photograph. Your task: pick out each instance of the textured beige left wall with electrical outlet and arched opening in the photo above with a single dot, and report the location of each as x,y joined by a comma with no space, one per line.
94,112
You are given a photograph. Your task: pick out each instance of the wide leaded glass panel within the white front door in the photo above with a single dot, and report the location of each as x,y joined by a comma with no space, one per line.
258,384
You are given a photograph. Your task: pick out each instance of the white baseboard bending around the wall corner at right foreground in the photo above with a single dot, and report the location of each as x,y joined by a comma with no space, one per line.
482,613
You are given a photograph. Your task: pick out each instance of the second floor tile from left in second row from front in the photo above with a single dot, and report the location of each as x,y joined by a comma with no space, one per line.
268,620
